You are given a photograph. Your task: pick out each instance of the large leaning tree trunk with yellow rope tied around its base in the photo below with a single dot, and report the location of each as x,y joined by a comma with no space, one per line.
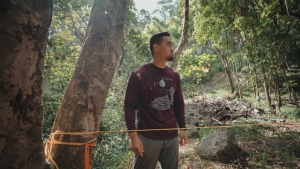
82,106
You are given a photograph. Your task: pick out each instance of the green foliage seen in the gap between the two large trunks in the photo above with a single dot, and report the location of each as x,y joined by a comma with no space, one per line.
60,59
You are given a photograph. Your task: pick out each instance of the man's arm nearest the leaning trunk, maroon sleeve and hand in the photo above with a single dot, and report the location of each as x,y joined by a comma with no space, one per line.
131,103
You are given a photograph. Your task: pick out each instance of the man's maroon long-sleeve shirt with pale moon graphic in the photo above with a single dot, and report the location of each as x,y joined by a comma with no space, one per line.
156,94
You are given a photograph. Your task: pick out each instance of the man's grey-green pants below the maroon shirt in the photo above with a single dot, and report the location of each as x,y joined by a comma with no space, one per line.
164,151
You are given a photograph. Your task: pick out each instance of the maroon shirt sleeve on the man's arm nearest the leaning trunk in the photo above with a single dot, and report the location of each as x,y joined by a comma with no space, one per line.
132,101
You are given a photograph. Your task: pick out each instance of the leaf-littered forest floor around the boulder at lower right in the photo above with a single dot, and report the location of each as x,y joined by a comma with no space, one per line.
266,150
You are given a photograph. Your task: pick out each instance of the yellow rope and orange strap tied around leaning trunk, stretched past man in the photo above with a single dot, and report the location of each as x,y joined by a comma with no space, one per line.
92,142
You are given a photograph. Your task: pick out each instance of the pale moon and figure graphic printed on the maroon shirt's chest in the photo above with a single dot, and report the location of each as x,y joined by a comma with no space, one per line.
164,102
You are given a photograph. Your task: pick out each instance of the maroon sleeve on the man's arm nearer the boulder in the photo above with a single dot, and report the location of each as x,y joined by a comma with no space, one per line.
179,105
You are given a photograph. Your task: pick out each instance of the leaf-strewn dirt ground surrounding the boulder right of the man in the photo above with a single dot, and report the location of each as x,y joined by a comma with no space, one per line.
268,146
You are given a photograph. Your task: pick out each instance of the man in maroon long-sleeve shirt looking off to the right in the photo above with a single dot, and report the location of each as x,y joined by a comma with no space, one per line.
154,90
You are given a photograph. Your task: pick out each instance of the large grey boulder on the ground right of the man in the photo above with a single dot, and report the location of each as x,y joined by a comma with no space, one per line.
221,147
